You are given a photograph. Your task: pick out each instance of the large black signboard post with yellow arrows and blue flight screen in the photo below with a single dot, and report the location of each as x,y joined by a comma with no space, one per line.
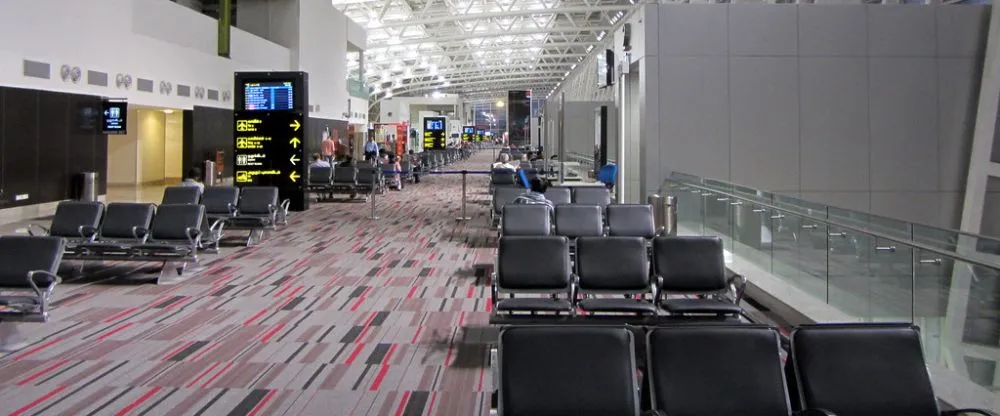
269,137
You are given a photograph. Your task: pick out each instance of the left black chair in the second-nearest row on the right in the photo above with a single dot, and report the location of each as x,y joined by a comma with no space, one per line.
533,265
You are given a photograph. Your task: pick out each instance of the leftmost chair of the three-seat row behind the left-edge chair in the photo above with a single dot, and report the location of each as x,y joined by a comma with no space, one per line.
76,221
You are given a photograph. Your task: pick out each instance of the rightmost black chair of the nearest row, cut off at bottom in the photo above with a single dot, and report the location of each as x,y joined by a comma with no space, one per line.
862,370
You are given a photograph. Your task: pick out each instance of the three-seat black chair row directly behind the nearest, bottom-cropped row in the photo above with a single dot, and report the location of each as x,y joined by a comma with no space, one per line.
689,266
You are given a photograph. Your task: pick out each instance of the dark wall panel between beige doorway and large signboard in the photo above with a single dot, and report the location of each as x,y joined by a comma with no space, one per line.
206,130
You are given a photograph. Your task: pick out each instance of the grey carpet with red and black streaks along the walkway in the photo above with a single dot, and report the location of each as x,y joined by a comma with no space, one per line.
334,314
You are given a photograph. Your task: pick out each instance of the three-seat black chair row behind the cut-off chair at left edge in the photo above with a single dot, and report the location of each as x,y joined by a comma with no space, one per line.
127,231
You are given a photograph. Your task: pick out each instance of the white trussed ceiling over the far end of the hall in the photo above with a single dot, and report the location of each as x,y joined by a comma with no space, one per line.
478,48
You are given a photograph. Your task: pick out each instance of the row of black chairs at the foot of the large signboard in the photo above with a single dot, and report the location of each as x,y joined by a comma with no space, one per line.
250,208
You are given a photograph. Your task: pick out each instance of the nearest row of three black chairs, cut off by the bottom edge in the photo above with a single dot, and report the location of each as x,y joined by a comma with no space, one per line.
718,370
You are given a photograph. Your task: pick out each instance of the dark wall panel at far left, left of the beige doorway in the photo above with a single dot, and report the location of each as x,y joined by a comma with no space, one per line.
46,138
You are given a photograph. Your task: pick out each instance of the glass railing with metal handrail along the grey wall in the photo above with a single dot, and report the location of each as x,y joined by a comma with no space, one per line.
836,265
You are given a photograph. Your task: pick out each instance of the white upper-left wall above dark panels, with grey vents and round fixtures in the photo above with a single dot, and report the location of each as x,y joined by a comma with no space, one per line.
152,39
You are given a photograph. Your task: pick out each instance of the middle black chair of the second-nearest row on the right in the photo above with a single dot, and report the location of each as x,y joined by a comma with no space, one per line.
614,266
